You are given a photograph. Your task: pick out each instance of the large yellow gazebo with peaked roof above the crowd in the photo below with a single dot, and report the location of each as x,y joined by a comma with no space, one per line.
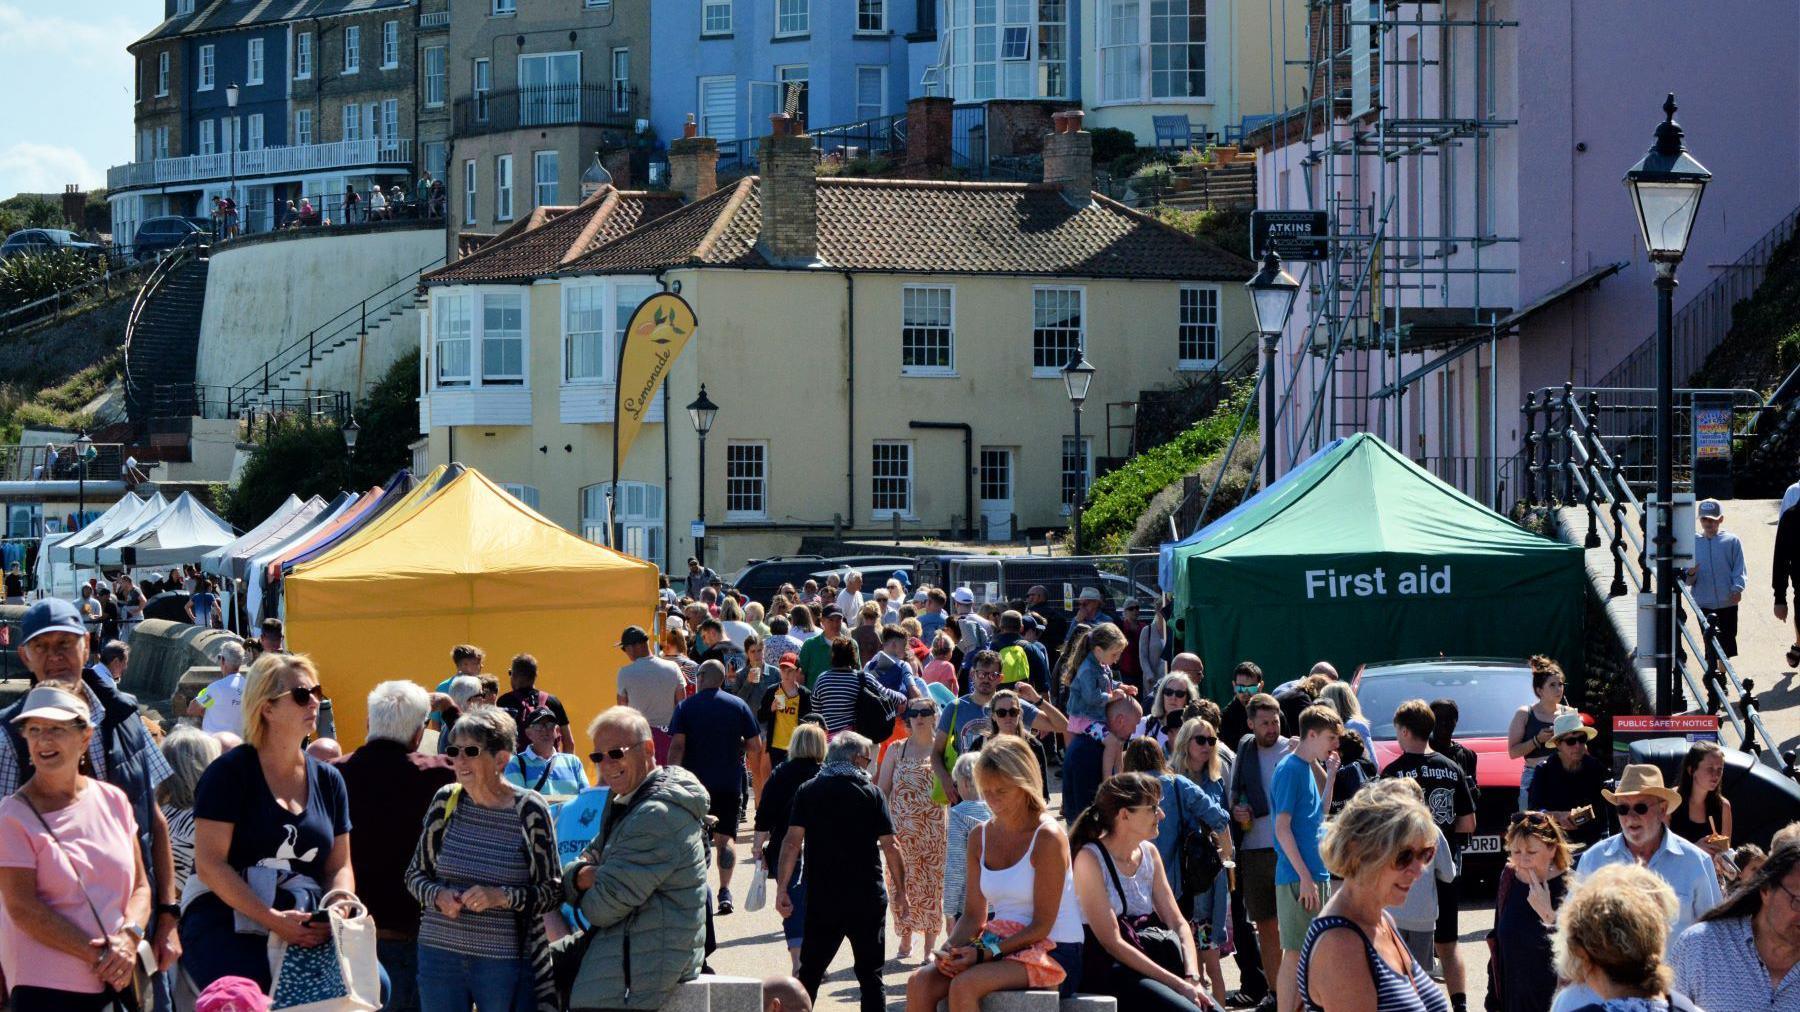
467,565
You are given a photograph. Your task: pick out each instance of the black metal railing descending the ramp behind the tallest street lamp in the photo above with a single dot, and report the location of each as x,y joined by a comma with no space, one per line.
1599,478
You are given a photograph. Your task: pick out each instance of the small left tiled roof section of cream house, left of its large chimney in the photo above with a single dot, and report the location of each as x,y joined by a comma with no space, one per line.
552,237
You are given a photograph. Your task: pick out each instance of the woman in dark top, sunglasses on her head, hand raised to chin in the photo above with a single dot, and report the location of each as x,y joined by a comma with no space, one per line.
1533,887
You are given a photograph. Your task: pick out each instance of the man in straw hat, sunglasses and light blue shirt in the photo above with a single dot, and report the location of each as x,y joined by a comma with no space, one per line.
1642,804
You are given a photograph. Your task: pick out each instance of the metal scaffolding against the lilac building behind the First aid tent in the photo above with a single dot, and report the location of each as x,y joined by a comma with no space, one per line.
1401,104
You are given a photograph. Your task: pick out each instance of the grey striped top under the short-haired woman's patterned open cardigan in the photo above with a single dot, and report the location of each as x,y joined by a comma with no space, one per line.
483,847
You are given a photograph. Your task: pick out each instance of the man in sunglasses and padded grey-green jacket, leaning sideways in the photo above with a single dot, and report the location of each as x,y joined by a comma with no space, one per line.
642,885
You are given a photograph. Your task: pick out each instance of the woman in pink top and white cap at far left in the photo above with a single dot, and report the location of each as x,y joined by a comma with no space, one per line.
71,874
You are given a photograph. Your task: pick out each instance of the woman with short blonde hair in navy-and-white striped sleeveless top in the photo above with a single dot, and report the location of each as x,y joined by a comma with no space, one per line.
1354,959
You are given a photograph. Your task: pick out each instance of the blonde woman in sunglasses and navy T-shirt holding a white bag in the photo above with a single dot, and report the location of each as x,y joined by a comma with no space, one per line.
271,833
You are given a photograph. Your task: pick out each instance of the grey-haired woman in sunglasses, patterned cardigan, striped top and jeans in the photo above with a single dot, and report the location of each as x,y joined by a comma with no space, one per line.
487,872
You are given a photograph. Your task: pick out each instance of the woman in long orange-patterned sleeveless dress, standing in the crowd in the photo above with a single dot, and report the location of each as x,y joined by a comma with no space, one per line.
906,782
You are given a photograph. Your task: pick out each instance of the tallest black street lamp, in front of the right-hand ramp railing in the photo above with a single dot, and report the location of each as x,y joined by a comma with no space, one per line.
1666,190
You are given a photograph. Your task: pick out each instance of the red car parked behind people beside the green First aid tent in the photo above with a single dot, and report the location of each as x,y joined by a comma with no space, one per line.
1488,694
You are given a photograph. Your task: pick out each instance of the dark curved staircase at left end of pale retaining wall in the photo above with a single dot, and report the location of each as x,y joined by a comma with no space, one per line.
163,334
